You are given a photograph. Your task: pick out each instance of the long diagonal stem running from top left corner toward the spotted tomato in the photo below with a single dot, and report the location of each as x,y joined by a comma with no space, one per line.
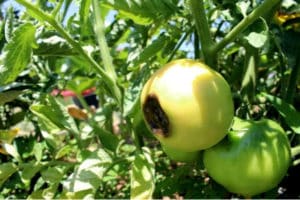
109,81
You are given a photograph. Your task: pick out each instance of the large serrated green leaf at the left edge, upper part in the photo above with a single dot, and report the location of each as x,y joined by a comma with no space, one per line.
18,53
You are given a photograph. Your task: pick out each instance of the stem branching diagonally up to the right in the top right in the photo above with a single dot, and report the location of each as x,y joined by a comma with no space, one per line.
253,16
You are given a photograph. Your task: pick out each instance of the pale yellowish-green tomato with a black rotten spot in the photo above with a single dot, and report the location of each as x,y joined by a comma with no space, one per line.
187,105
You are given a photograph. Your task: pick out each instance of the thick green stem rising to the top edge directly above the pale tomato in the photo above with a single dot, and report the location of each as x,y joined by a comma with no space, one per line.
202,26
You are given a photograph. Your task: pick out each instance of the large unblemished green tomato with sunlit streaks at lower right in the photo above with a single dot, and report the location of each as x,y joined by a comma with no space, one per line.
252,159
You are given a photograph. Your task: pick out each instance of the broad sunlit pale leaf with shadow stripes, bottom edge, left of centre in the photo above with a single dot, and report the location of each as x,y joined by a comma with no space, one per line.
87,177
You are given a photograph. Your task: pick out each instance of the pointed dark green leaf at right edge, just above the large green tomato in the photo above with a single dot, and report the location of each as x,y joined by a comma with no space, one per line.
287,111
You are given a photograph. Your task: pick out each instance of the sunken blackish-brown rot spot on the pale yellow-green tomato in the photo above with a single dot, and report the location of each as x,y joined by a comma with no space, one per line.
155,116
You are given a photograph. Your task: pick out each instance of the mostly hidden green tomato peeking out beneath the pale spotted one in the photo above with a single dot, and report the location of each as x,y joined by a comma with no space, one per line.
180,156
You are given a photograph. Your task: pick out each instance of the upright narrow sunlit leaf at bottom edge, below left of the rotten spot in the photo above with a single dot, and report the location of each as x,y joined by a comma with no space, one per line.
142,176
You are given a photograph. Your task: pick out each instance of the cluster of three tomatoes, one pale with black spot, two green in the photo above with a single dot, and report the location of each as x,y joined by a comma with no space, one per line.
189,108
